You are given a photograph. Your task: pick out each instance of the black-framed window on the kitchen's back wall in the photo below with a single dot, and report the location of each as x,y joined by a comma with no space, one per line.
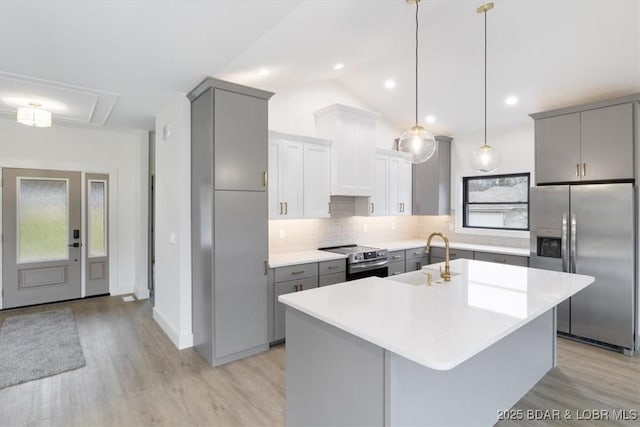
496,201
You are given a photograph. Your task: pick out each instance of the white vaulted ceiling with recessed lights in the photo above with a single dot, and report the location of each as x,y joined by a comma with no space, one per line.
124,60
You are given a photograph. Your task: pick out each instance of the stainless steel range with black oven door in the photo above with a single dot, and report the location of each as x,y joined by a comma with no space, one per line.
363,261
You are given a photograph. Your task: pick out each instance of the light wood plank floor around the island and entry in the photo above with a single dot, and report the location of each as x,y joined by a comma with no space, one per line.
135,376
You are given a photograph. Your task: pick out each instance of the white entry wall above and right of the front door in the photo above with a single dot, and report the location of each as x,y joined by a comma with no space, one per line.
121,154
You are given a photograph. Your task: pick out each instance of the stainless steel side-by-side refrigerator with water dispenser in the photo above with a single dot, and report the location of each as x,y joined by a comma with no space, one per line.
590,229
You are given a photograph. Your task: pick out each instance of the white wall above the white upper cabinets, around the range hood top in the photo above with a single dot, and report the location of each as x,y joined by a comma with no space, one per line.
292,111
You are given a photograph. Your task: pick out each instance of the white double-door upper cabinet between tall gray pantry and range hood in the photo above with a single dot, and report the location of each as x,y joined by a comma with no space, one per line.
299,176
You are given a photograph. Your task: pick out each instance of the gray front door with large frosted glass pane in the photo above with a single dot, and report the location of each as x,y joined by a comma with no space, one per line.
41,221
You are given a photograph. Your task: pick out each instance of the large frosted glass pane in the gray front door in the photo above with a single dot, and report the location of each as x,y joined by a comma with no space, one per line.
43,220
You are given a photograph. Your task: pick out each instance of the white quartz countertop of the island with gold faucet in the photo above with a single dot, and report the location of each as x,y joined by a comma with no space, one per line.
443,325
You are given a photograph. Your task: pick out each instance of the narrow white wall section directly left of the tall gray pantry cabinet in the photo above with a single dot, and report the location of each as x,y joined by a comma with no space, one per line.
172,292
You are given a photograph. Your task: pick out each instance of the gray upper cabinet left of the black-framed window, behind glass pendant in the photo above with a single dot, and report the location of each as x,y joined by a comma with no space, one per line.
432,181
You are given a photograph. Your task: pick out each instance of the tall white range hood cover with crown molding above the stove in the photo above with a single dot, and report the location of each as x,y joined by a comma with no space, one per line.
353,133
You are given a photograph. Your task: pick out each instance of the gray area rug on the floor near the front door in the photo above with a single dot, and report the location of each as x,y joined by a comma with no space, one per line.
38,345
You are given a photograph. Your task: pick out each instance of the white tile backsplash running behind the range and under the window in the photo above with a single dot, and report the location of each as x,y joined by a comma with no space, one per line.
345,228
